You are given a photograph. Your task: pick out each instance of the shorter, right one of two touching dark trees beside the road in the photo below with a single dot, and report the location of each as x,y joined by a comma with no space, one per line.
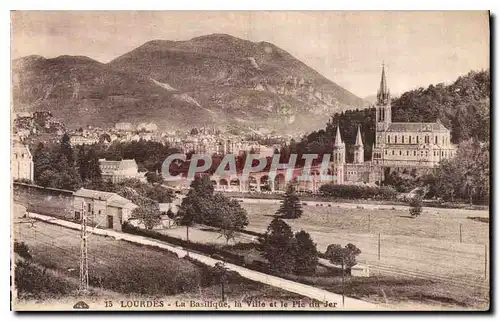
306,255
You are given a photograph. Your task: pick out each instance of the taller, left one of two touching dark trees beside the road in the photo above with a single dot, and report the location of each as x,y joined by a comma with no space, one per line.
278,246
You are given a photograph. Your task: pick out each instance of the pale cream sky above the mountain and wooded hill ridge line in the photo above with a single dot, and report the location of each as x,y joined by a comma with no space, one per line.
418,47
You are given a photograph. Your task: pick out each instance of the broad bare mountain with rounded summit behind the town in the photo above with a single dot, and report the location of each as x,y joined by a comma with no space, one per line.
215,80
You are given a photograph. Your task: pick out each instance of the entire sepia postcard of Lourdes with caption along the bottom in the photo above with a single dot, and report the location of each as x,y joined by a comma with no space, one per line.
250,161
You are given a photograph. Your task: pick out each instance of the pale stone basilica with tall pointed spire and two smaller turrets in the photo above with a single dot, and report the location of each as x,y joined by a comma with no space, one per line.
398,146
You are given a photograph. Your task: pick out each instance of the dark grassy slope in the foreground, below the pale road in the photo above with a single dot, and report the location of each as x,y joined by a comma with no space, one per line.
122,268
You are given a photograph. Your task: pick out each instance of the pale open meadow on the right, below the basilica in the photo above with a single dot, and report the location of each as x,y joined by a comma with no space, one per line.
427,246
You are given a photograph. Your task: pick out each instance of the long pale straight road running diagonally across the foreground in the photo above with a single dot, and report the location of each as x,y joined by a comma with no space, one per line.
302,289
